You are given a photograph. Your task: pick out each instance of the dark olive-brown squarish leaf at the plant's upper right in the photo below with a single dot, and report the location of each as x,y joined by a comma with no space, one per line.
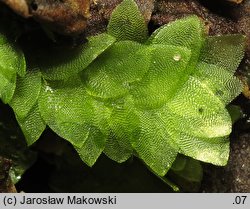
224,51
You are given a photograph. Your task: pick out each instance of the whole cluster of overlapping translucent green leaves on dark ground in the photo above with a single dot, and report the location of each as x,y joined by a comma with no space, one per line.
127,94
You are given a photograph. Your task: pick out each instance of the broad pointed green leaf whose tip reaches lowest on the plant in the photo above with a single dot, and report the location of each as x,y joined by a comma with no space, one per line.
154,145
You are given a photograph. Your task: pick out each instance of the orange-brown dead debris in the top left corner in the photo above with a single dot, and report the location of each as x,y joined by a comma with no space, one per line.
65,17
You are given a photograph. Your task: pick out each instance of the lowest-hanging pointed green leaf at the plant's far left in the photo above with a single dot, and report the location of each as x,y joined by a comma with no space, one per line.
32,125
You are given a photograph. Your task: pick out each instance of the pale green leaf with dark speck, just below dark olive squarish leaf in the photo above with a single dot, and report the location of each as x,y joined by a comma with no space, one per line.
222,83
